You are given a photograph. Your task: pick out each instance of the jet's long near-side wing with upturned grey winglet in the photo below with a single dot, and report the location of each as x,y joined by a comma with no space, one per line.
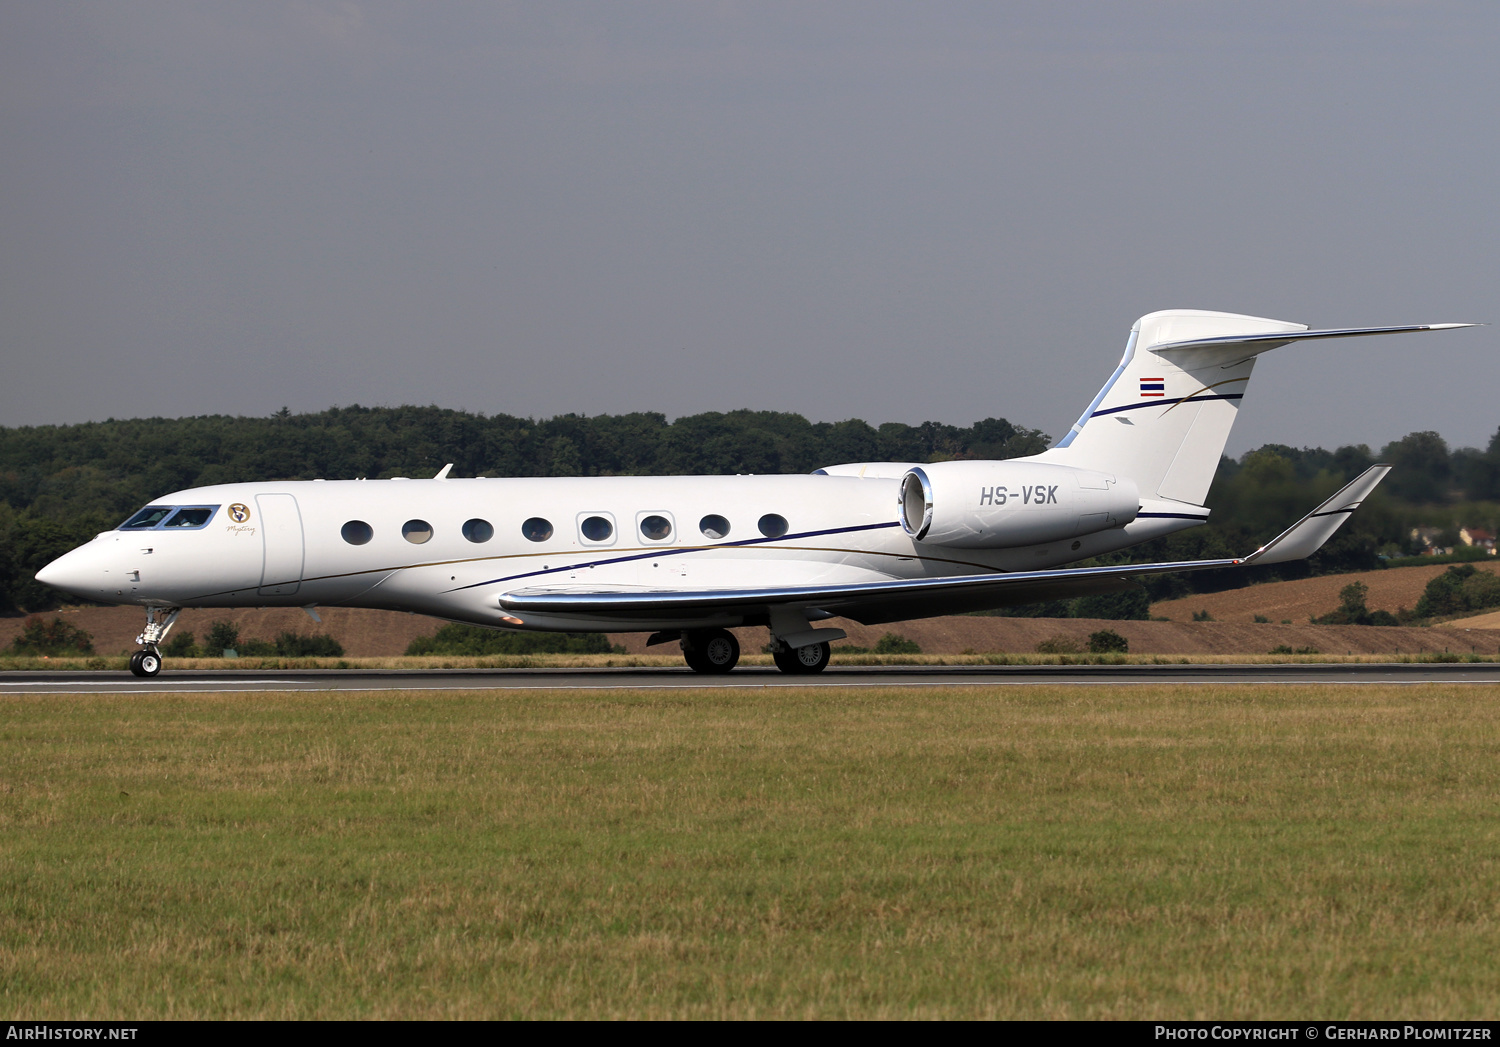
923,598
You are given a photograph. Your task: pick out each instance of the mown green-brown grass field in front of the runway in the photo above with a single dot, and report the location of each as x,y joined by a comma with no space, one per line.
965,853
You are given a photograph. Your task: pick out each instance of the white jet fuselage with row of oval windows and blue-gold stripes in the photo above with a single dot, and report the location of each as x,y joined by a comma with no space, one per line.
451,548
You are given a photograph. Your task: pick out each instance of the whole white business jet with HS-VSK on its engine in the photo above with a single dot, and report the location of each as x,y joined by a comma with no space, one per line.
689,557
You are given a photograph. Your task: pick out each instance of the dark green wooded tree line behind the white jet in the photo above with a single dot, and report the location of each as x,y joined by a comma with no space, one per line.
61,485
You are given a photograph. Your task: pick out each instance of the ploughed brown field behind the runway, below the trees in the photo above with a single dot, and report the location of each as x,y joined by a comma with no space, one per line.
383,634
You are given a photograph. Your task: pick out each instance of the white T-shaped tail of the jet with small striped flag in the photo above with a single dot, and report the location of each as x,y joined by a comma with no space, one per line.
1166,413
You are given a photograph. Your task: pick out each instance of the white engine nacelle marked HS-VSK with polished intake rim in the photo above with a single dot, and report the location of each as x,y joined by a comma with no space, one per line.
1006,505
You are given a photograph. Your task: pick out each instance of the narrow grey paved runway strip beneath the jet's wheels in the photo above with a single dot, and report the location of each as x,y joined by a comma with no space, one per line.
293,680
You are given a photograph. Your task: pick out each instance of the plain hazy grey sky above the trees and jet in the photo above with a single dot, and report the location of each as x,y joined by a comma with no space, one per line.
893,212
